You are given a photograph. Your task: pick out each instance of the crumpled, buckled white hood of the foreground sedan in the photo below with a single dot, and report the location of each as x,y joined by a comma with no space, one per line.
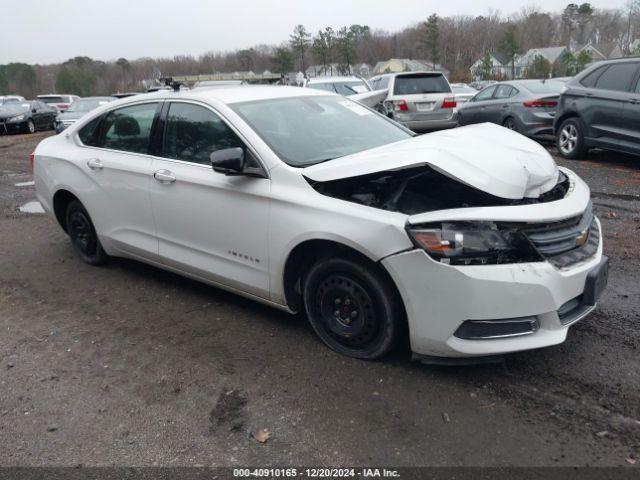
488,157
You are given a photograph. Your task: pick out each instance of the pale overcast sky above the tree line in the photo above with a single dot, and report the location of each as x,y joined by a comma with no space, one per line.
48,31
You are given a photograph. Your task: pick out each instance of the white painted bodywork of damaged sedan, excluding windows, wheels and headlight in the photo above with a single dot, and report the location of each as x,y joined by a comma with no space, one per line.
237,232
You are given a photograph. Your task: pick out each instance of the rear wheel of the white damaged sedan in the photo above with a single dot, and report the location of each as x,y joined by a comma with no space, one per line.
83,235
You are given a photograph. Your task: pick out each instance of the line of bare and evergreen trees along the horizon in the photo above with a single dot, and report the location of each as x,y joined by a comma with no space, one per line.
455,42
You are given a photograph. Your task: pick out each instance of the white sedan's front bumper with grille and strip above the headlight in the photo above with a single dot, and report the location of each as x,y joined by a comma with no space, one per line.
481,310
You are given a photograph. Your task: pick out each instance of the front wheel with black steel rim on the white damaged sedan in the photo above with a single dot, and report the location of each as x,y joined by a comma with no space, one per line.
353,307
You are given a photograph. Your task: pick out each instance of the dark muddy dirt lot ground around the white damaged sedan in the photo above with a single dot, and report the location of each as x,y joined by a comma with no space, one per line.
129,365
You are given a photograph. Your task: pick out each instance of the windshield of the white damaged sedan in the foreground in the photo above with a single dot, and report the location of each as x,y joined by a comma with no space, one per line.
304,131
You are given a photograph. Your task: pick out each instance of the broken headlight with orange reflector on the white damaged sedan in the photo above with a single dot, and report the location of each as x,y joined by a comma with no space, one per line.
474,243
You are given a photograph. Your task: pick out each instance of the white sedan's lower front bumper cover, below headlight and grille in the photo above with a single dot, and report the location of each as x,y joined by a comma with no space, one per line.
537,300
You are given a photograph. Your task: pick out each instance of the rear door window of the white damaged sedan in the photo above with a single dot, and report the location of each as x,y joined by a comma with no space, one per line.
129,128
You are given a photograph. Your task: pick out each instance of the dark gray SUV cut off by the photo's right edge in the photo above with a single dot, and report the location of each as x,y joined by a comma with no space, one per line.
600,108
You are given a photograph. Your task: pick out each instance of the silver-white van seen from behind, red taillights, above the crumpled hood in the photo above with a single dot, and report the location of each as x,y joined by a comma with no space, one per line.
421,101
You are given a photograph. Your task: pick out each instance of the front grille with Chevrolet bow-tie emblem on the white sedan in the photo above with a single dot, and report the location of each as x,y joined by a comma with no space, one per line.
566,242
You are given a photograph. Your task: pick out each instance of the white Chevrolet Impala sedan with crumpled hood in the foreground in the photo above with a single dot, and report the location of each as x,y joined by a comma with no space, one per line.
471,242
